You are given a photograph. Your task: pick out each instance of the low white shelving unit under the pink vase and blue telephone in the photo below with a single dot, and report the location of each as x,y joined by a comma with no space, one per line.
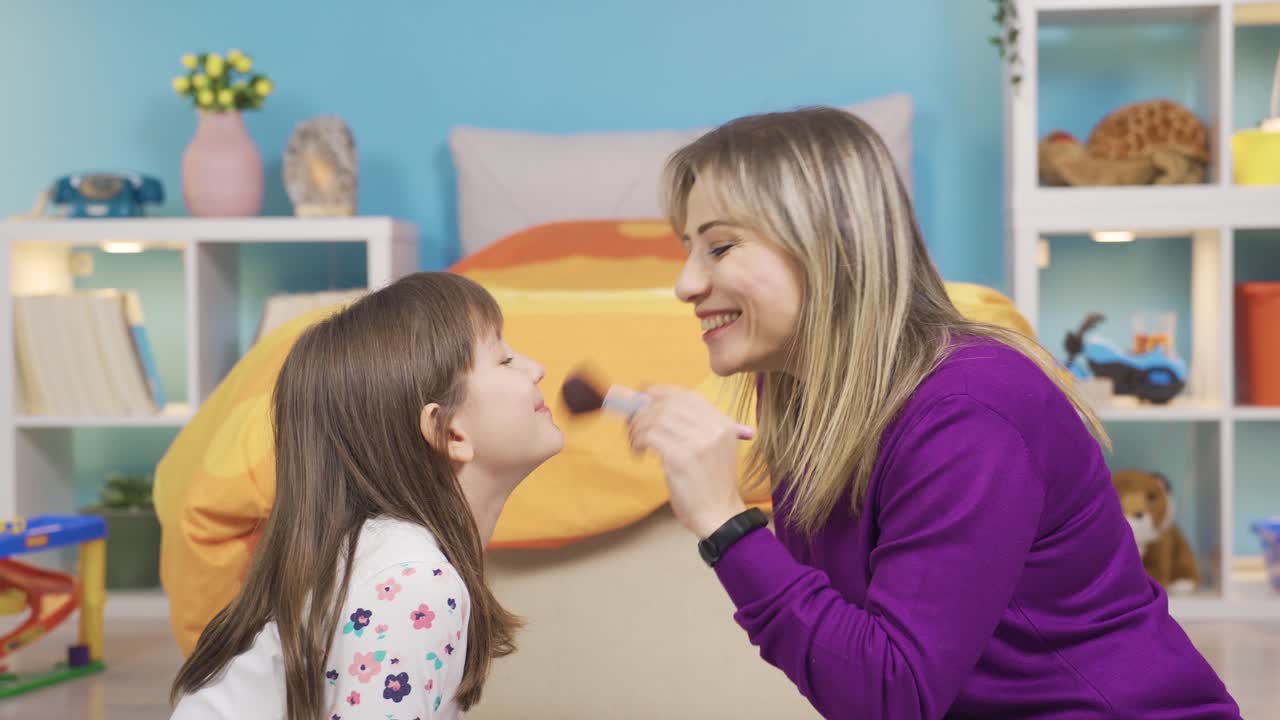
36,452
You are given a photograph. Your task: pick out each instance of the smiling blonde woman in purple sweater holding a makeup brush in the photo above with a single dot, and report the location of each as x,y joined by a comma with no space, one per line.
948,539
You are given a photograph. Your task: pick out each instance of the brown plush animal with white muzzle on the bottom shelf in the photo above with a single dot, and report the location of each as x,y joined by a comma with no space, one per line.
1149,505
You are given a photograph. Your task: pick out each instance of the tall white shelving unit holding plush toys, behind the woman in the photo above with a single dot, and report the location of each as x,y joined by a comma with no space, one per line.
1210,215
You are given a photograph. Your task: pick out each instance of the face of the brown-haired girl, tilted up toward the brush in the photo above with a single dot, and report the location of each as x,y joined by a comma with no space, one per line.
505,418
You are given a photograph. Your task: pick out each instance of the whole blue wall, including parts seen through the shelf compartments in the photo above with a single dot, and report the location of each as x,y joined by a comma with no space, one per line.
89,88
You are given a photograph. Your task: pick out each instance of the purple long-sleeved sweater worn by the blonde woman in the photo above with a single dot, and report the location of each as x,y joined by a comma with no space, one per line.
993,573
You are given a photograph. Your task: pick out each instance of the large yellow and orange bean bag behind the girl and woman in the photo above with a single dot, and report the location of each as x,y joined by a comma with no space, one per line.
596,293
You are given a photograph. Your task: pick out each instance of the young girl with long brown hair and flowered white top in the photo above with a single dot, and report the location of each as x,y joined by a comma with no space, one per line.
403,425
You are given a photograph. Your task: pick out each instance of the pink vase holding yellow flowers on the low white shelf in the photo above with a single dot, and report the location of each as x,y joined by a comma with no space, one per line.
222,170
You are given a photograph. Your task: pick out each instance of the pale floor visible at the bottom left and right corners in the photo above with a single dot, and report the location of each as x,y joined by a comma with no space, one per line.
141,663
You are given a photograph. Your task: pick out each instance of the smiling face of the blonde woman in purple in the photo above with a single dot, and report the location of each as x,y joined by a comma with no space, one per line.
746,290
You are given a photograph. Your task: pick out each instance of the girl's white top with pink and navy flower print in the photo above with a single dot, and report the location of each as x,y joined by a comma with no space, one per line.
399,651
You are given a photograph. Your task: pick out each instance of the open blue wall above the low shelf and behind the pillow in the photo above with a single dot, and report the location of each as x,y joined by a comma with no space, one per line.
408,71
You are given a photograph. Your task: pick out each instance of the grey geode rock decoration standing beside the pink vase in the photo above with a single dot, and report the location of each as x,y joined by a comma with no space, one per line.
321,168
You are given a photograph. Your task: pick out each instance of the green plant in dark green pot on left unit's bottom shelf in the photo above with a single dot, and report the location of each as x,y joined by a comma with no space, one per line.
132,532
